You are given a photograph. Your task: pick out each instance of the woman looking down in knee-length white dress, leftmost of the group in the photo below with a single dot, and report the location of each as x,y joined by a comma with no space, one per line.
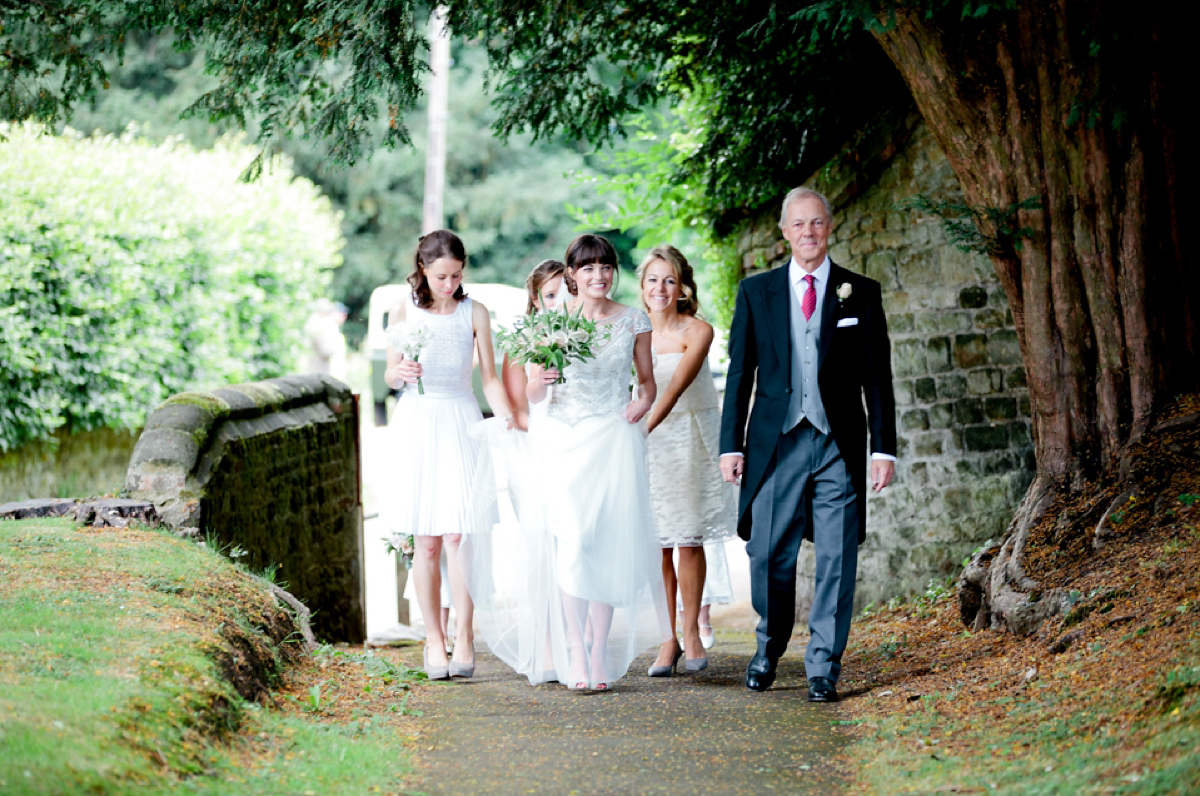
436,458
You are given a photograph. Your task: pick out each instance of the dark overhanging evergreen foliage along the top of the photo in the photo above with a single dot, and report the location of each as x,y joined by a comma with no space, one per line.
333,71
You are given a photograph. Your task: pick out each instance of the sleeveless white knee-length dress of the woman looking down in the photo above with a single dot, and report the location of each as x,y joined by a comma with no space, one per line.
434,453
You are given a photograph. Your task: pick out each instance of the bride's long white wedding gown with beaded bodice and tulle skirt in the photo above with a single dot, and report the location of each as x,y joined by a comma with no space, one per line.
585,534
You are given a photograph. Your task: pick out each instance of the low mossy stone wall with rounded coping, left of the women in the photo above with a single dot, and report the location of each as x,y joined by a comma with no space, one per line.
271,469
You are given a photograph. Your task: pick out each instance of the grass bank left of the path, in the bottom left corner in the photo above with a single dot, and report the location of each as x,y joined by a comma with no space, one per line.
133,662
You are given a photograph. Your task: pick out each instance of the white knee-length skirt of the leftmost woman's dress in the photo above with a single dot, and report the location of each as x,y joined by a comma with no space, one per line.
435,459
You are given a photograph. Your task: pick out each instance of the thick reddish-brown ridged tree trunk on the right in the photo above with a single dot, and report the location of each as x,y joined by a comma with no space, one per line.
1067,113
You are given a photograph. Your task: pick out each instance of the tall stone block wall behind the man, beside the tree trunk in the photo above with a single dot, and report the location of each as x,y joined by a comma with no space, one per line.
963,410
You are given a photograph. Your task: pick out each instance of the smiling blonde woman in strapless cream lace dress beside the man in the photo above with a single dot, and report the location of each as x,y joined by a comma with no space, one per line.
693,505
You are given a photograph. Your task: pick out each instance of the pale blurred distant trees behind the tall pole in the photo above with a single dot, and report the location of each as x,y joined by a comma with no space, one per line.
507,197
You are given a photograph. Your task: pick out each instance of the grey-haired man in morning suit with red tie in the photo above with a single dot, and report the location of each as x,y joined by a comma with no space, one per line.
811,342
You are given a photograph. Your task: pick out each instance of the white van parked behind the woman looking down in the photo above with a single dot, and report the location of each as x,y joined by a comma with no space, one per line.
505,304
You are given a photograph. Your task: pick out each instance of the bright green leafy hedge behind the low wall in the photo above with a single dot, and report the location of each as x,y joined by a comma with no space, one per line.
133,271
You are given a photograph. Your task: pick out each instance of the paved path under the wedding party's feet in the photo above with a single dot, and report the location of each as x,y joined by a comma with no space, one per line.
705,734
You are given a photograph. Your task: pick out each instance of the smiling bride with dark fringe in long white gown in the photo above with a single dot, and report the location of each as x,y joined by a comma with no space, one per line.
592,450
